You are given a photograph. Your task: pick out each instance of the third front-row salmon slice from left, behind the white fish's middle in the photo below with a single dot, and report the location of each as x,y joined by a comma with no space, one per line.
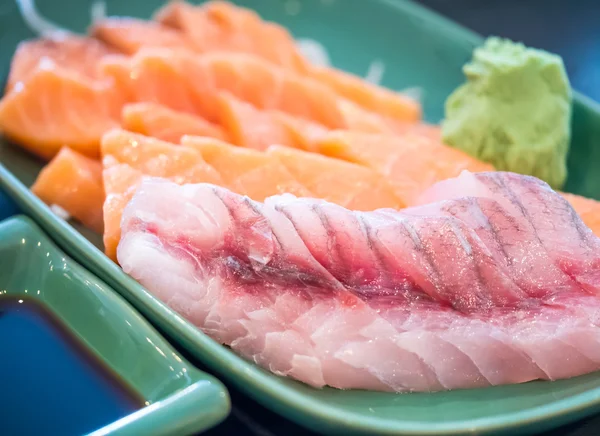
349,185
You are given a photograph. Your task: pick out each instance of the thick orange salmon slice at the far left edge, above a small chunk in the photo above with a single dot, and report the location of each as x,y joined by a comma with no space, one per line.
54,107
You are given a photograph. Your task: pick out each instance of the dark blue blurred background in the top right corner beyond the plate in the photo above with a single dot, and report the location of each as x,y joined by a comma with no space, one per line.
570,28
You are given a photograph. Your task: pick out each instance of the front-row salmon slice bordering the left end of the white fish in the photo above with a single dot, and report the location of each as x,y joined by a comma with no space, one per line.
127,158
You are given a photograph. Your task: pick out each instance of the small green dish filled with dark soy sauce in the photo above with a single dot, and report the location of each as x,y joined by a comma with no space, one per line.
77,359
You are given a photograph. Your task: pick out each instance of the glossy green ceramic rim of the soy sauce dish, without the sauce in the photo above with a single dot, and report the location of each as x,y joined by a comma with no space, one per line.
180,399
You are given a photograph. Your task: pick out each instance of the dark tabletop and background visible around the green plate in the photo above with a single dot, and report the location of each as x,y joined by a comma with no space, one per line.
570,28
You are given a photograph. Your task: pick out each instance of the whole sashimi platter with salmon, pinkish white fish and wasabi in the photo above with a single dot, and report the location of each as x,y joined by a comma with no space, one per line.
312,233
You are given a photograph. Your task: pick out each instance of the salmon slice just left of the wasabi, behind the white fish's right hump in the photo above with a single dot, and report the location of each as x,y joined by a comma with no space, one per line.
409,163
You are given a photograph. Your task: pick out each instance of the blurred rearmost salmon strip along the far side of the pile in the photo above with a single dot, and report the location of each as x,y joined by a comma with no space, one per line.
222,26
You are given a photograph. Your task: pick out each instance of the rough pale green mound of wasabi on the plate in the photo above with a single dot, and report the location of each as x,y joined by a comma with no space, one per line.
514,111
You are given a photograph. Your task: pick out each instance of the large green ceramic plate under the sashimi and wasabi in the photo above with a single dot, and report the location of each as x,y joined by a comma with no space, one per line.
418,48
